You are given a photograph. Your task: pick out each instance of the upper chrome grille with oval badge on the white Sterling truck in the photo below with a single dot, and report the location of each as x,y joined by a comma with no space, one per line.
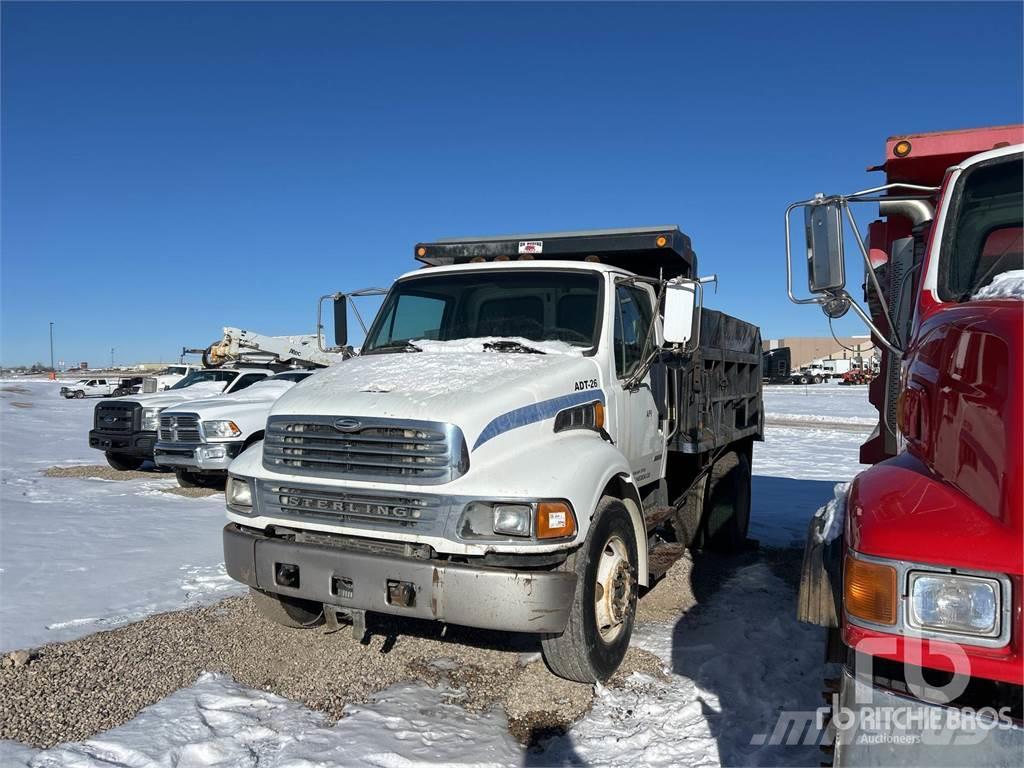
389,450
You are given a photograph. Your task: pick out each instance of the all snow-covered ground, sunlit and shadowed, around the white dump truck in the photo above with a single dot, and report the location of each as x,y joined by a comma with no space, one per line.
734,662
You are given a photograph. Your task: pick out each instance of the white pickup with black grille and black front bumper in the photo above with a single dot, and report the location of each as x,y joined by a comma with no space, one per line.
125,430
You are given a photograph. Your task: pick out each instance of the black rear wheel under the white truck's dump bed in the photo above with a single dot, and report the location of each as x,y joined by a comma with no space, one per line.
728,506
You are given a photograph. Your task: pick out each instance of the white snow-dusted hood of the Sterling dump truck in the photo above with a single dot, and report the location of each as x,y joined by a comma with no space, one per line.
456,382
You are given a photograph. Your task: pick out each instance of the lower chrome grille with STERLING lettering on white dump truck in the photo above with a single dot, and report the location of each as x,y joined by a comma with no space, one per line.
374,511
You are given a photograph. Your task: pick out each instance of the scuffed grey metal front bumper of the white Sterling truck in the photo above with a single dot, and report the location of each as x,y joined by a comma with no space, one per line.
474,596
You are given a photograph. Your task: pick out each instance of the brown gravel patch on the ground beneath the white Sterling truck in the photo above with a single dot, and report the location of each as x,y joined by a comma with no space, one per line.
72,692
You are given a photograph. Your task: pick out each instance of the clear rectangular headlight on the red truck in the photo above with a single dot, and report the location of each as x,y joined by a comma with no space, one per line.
950,603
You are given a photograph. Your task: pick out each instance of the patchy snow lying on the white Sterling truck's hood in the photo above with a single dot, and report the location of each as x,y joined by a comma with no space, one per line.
443,368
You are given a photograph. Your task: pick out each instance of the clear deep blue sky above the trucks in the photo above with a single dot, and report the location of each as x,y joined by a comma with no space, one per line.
170,169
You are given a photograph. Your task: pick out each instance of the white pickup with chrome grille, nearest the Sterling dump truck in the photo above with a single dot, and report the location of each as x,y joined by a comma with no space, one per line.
199,440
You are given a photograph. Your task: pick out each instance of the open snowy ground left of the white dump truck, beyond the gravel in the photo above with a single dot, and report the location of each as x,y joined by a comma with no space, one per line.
80,556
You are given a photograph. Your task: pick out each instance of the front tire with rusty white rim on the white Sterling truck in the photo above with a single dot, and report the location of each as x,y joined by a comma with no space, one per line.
598,635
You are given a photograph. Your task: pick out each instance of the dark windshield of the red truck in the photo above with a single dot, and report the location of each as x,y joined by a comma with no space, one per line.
987,236
